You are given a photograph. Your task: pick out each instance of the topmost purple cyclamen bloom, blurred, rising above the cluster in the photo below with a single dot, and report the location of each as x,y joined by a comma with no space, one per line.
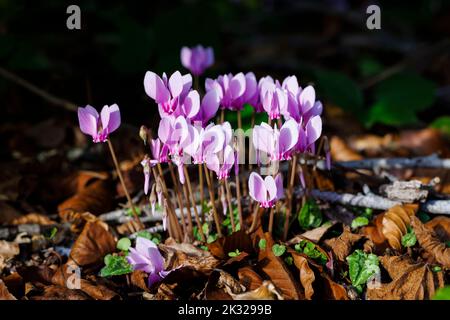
197,59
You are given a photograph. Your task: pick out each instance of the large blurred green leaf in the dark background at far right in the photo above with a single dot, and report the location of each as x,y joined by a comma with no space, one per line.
399,98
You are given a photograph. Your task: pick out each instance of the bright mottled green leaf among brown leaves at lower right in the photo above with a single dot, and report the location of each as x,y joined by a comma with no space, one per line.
362,266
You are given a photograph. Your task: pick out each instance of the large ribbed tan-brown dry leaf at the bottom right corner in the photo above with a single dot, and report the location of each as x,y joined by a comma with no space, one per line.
410,281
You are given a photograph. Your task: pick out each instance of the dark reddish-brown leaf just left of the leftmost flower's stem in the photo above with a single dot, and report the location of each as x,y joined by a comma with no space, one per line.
95,198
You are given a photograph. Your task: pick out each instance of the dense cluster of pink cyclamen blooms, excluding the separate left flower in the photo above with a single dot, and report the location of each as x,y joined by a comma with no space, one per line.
186,132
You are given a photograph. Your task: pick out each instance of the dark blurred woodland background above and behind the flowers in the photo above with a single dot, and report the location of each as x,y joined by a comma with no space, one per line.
322,42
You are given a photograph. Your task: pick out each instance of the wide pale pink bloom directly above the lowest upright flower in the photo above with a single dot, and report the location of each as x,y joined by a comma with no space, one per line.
278,144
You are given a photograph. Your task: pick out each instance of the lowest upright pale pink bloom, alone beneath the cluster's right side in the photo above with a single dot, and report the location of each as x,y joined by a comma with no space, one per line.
265,191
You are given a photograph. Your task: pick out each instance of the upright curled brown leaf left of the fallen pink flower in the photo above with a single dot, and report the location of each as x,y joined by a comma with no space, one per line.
94,242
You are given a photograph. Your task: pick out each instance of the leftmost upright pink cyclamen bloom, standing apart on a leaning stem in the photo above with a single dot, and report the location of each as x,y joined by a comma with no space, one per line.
99,126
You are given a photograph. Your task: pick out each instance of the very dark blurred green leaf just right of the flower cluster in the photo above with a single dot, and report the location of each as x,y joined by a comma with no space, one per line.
340,90
